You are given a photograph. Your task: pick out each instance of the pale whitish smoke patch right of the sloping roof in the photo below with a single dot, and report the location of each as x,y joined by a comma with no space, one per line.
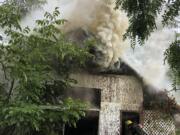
148,60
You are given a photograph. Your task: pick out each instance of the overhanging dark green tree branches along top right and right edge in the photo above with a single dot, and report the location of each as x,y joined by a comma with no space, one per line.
142,17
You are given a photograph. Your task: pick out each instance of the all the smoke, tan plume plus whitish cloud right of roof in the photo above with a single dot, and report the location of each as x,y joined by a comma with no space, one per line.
107,25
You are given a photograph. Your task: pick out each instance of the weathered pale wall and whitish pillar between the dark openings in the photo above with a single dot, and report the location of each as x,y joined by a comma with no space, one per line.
117,93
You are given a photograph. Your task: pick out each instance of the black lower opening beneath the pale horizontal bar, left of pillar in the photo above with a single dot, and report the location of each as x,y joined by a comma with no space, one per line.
85,126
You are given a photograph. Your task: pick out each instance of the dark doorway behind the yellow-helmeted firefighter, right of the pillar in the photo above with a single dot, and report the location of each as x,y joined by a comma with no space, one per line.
133,116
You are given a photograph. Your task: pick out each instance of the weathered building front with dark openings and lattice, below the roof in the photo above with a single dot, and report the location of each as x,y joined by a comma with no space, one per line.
114,99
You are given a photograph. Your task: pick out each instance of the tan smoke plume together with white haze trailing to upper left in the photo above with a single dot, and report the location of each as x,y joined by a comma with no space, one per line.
99,18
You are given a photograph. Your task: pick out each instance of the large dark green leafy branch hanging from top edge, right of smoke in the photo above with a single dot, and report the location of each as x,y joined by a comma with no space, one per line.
142,15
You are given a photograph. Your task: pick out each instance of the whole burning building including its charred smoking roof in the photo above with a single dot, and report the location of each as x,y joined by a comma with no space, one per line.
115,93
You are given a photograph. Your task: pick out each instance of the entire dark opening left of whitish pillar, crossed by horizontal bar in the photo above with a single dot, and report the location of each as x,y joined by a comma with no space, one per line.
89,124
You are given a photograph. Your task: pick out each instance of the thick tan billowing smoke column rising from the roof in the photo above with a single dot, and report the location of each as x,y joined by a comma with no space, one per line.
106,24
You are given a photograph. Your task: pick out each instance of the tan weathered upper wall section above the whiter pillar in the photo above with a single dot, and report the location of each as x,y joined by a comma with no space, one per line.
126,91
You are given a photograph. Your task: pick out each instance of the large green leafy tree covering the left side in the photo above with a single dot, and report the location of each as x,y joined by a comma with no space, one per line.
36,64
